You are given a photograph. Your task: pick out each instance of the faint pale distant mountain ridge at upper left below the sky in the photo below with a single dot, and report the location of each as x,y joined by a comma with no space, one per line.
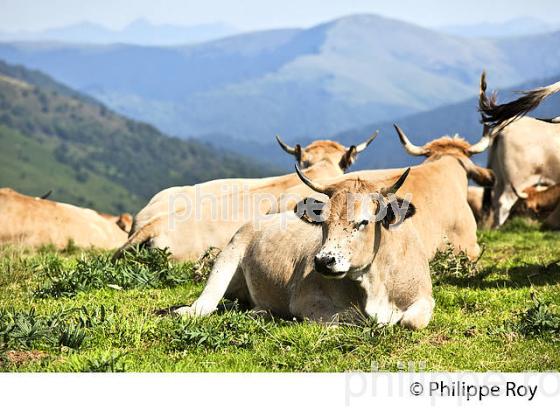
139,31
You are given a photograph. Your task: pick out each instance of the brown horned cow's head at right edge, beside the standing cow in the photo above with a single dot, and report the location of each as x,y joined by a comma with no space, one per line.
542,203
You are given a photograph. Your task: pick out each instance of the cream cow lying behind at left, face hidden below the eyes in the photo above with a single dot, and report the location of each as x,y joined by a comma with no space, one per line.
189,220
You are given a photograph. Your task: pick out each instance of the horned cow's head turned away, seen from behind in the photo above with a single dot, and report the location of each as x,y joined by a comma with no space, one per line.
456,147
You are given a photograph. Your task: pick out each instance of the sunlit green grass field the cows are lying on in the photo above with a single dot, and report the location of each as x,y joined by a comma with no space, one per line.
75,311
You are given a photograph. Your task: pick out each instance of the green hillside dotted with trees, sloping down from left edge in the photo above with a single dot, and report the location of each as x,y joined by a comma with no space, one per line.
51,137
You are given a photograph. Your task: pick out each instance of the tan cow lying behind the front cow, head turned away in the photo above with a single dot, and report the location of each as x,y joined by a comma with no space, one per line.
440,183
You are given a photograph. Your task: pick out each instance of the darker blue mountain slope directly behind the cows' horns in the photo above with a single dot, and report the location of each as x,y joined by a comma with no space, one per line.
386,151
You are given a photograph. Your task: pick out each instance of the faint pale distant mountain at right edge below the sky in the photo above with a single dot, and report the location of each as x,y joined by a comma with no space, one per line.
522,26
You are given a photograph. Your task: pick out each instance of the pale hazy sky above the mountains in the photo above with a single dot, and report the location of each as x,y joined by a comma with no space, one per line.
34,15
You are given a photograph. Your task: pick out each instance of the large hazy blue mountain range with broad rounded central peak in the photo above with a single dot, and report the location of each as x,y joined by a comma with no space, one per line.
300,83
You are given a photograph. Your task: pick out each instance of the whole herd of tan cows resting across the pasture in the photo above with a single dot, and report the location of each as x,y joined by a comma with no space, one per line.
372,233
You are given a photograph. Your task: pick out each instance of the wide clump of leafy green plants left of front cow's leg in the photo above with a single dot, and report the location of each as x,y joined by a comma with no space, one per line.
144,268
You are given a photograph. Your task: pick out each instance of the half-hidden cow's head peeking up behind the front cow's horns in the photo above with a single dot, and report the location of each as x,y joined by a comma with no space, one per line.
330,151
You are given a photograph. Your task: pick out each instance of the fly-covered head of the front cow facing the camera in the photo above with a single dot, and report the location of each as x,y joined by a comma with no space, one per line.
352,220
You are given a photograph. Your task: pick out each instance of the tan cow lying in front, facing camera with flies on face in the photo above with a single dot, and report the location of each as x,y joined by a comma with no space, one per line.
347,263
